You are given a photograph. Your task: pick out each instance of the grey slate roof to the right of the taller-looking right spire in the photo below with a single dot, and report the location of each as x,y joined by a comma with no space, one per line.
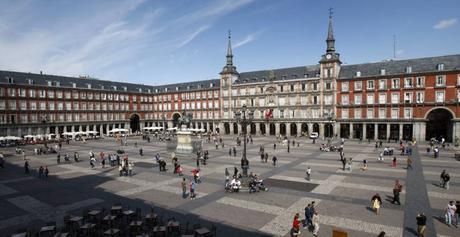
398,67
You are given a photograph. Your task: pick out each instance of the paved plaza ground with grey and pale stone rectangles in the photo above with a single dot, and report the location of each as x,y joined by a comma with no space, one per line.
342,197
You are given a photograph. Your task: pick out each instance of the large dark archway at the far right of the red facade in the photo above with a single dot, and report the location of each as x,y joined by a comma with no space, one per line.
439,124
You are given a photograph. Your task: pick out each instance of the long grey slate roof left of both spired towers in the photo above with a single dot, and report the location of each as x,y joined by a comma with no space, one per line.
42,79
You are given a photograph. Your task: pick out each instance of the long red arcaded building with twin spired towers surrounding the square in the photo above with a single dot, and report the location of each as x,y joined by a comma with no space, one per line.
394,99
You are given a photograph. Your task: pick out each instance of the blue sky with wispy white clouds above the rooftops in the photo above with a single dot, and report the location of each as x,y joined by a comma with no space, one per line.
159,42
